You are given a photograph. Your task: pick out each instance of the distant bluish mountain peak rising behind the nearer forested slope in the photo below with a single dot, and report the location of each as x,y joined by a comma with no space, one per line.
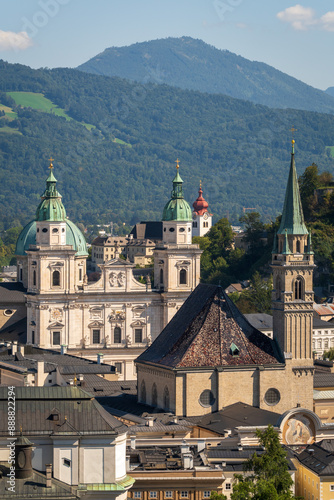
193,64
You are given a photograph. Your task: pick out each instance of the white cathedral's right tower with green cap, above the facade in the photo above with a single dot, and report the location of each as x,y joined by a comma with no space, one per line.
177,260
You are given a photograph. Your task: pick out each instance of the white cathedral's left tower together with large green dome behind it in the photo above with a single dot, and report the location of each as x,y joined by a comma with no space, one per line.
51,260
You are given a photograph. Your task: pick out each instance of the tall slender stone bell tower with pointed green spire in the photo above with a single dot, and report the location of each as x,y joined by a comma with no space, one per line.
293,265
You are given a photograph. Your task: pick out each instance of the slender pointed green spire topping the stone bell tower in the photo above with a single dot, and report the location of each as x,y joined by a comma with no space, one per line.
292,216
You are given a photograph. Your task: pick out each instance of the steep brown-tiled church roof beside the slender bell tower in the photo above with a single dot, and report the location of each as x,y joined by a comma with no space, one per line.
203,331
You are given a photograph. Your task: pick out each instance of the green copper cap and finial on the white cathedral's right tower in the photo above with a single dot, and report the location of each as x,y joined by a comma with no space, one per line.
177,209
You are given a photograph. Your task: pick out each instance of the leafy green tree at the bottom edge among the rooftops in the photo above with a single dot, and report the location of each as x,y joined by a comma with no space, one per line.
268,476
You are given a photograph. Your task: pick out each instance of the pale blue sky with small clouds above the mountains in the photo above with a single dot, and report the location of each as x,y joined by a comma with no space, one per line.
294,38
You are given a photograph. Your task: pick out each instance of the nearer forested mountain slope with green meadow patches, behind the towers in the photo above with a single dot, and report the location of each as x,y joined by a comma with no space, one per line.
122,168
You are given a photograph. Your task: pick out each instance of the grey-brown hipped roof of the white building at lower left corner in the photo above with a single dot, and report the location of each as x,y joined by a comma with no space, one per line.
79,413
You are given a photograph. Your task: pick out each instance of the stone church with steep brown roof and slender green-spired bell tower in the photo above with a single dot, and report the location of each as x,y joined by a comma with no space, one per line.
209,356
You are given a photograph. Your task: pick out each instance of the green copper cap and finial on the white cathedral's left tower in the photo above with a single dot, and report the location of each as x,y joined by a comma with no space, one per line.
51,207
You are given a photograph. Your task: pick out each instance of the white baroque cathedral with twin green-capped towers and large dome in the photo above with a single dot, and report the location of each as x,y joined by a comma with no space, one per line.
116,317
